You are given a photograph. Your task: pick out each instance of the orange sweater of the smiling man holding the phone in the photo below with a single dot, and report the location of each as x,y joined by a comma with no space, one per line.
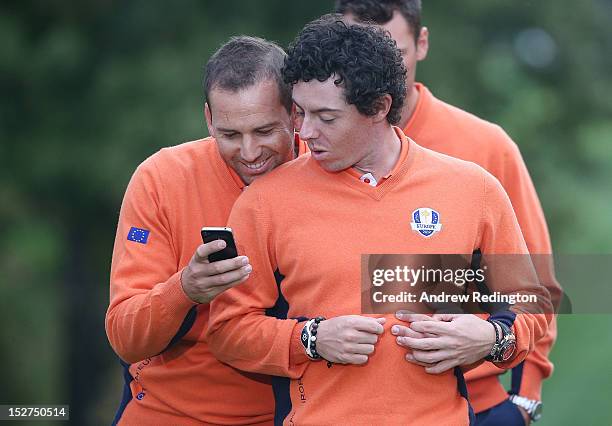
170,197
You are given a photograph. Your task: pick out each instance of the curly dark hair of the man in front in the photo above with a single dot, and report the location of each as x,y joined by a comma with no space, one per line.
364,59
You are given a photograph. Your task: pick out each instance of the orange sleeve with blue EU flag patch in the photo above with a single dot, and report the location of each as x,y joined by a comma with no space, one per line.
147,301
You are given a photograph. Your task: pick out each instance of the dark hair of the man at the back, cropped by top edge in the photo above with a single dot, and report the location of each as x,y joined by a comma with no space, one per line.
381,11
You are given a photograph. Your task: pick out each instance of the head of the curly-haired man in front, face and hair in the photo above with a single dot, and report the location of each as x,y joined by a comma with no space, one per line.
362,77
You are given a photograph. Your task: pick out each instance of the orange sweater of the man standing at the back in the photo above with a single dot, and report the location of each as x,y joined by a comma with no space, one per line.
444,128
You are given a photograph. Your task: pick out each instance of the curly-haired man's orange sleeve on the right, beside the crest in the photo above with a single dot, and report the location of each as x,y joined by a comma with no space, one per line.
511,271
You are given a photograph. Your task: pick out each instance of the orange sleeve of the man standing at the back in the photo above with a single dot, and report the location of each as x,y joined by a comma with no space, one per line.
514,176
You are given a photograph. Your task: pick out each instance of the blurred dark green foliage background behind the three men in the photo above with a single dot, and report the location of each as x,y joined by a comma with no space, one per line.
90,89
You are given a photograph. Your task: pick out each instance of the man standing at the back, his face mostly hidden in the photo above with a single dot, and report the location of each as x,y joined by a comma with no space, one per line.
437,125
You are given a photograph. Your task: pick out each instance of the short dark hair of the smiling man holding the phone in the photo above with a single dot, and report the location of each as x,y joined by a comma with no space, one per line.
244,61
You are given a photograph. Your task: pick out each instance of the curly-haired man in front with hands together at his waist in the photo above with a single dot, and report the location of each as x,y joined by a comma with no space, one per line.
355,194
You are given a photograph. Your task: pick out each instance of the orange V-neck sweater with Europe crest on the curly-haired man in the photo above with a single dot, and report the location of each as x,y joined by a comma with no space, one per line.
315,264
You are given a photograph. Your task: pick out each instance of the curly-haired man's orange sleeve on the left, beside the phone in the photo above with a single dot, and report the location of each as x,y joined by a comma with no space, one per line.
240,334
